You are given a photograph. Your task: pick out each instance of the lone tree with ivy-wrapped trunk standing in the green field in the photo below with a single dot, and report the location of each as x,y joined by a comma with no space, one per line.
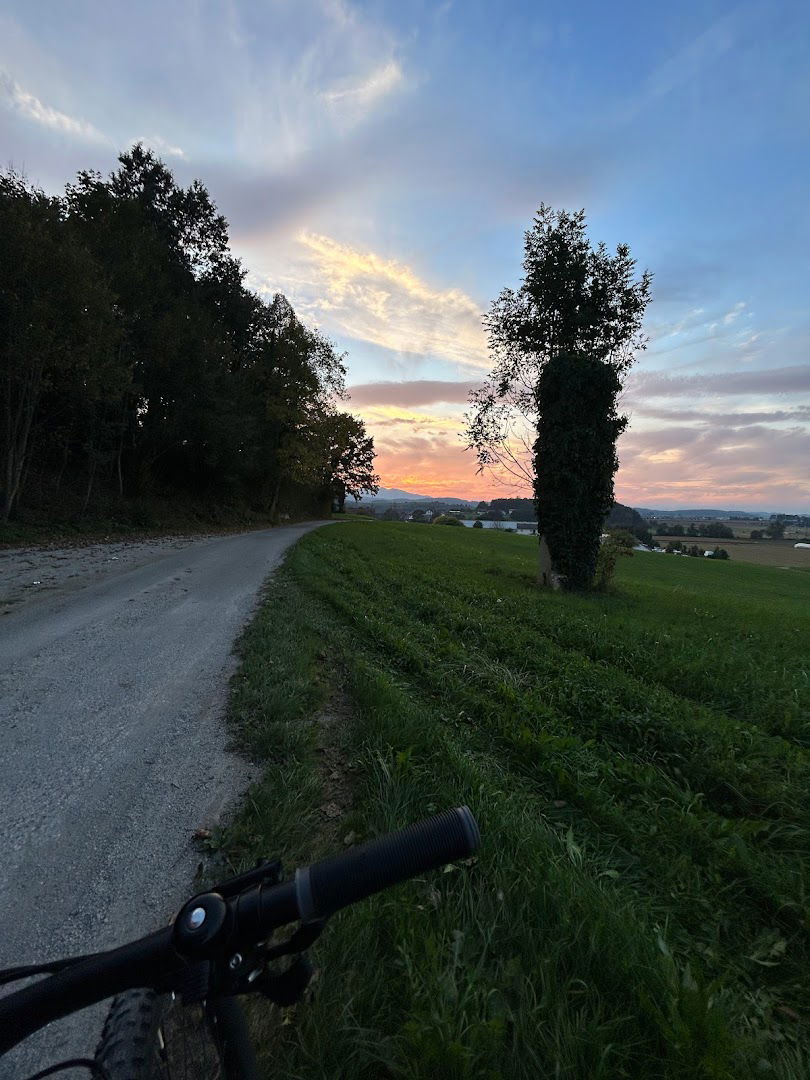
562,344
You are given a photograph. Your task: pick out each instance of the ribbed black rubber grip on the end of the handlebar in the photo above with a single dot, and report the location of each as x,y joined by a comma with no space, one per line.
340,881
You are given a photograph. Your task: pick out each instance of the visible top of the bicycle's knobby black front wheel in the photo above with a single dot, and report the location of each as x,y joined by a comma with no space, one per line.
150,1036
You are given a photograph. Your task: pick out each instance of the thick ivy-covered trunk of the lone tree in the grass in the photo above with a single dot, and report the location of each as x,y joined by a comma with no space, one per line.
575,464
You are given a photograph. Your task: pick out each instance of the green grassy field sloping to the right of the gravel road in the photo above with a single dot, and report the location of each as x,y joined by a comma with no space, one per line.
639,766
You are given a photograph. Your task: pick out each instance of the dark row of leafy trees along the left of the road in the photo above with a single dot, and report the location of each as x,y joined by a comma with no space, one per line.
136,362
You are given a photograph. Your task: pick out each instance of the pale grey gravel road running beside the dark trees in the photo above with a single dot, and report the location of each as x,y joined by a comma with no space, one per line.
113,686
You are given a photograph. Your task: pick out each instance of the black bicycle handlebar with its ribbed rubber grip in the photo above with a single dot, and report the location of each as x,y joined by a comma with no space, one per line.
317,893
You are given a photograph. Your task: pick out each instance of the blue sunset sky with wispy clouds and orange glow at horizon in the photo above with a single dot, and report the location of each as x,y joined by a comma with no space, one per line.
380,164
